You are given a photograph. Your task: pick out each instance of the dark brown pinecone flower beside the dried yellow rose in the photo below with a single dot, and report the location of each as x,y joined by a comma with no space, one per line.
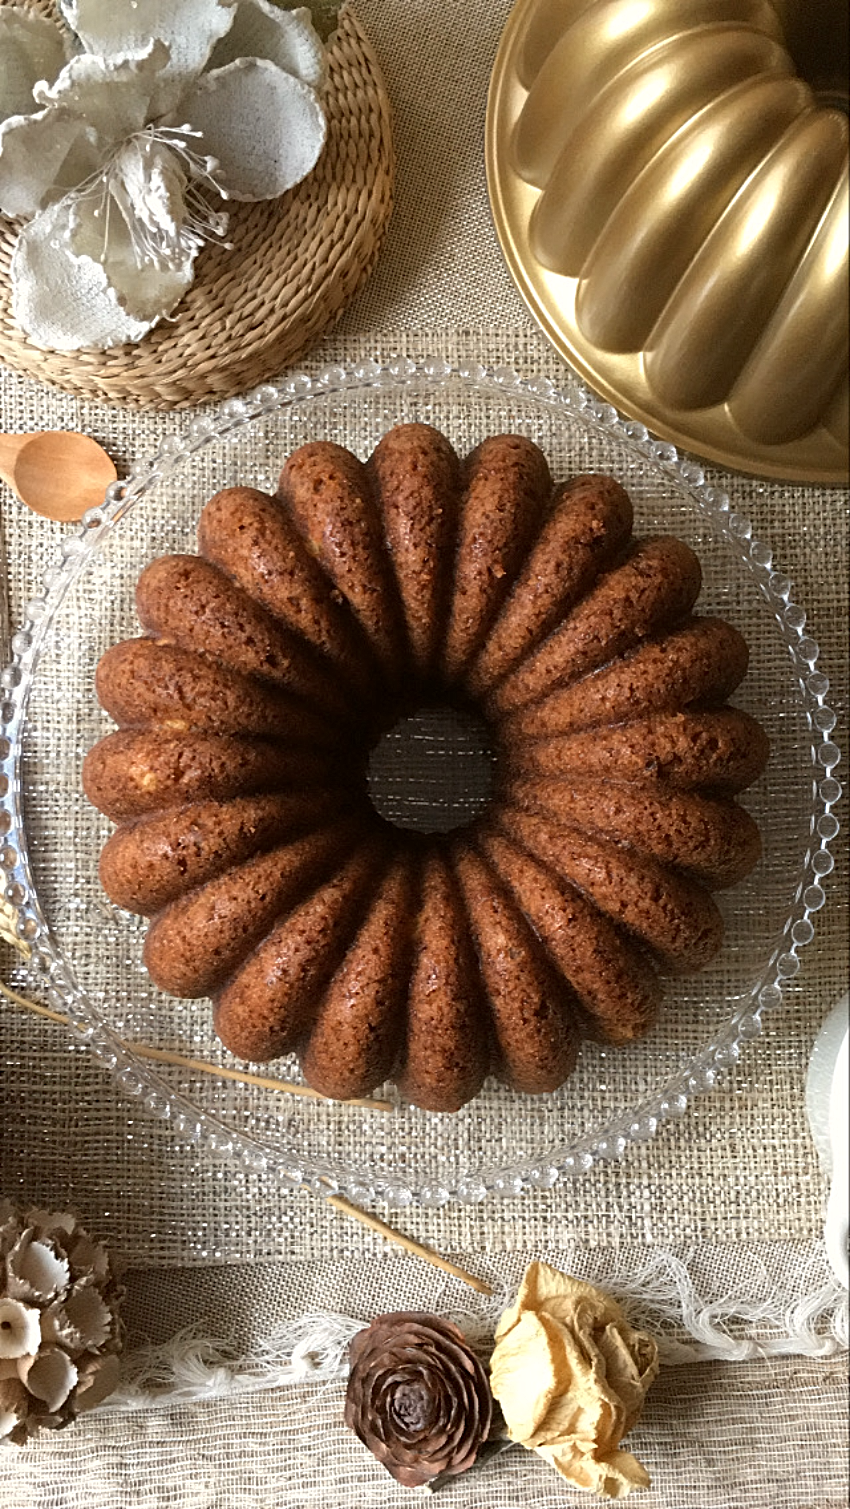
417,1397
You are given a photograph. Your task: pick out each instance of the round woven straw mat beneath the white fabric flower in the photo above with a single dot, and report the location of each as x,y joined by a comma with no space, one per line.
257,307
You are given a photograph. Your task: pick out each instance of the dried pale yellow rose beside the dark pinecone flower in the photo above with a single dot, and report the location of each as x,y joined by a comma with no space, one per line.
571,1377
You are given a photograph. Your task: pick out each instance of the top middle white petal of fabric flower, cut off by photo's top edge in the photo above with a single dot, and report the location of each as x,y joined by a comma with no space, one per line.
189,28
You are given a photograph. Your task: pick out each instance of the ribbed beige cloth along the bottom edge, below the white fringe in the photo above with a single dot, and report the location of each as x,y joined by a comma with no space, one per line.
741,1439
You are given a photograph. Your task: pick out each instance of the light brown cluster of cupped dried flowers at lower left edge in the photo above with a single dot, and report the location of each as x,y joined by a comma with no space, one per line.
60,1326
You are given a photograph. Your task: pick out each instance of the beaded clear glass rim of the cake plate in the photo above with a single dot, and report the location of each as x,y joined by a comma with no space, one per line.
52,973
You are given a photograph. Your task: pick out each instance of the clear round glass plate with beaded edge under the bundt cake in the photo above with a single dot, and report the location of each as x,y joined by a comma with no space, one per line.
87,954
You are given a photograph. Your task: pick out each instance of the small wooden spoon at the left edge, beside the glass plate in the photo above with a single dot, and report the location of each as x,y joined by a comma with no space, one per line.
57,473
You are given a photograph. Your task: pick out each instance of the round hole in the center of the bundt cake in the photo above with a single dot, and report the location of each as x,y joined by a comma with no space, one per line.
433,772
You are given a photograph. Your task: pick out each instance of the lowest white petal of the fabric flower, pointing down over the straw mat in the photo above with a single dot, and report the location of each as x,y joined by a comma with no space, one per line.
67,301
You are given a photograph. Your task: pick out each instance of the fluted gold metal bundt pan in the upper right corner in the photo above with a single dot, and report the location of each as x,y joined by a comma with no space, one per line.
670,185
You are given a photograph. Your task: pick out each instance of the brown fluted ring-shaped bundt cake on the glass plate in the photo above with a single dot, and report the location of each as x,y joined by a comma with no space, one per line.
277,659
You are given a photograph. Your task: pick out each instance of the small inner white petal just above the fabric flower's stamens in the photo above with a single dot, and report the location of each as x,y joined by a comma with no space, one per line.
112,94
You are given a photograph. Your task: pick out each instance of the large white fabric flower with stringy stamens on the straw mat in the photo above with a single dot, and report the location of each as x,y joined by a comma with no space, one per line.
115,155
